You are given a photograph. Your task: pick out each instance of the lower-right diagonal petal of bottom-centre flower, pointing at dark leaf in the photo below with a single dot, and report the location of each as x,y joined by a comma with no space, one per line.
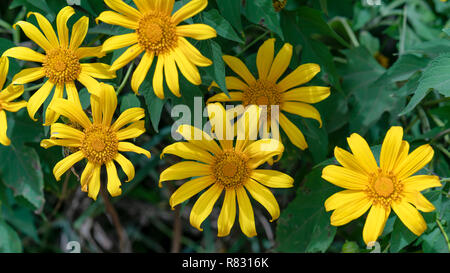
265,197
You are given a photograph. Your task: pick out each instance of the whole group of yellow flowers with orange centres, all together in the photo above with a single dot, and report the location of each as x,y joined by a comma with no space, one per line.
229,165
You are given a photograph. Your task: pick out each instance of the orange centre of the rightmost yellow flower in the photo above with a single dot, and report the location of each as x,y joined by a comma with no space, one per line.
384,188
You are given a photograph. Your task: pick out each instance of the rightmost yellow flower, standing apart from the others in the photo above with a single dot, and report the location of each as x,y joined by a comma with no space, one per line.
391,185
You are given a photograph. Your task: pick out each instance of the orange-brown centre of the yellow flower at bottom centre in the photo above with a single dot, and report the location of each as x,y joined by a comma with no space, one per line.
230,169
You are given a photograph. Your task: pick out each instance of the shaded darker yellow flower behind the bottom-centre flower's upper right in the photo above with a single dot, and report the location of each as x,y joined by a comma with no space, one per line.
266,90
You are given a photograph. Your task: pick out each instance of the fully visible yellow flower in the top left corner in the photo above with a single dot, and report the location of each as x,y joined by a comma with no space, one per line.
60,64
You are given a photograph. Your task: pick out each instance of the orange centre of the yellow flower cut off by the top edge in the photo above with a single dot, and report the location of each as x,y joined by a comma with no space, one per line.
157,33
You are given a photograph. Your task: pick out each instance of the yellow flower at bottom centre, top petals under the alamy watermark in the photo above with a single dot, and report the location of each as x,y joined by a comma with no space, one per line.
225,167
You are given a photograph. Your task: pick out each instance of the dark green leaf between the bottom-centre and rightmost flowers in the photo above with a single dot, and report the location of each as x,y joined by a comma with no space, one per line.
304,226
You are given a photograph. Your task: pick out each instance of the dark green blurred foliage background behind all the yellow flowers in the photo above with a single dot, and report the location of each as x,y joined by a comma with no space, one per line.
387,65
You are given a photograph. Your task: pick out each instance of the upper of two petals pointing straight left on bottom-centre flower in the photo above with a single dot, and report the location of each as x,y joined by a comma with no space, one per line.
188,151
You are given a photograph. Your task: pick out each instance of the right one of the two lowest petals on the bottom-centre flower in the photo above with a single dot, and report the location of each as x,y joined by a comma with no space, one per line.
246,217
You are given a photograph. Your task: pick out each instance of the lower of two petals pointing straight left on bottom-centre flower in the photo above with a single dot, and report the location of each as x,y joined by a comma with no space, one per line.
183,170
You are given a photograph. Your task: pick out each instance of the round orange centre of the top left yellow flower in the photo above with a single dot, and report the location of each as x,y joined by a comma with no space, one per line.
61,65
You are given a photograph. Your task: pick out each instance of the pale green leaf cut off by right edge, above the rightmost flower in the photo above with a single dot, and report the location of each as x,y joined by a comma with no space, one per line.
434,77
